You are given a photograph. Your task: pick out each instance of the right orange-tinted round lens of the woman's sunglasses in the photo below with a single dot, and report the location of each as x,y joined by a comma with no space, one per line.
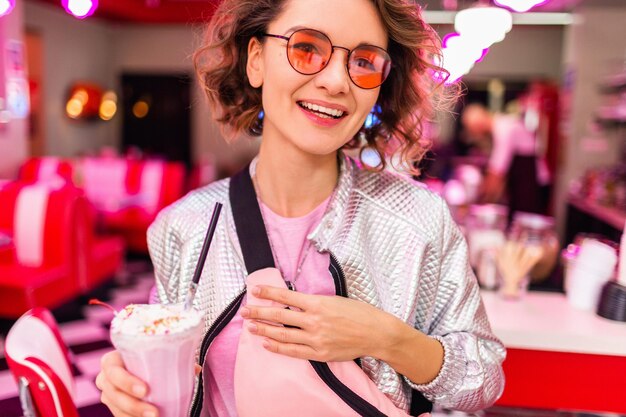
369,66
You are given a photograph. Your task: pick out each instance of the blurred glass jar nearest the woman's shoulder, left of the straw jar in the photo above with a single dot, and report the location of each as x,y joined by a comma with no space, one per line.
485,231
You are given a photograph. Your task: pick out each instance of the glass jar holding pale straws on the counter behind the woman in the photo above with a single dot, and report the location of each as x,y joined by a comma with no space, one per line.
530,253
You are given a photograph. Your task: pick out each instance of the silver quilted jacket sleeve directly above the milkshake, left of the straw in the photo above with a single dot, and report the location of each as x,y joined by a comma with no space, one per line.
164,246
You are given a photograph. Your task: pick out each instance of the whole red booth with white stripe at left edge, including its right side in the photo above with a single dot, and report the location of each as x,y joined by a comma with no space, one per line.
54,255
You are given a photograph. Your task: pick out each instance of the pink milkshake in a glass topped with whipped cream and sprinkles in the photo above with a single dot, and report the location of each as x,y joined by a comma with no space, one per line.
158,344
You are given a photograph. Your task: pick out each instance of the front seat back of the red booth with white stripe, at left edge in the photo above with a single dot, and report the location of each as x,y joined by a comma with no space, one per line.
40,274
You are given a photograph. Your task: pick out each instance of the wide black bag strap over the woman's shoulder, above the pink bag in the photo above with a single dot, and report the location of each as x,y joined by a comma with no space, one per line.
255,245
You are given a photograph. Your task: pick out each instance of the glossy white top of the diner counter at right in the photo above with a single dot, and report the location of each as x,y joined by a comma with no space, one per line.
545,321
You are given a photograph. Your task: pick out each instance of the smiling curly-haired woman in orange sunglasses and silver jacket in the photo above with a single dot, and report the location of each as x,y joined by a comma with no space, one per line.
319,263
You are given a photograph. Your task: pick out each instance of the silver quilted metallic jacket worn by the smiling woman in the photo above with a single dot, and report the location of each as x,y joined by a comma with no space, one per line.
400,251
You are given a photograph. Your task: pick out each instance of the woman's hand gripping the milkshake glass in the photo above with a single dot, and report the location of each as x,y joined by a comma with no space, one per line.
121,391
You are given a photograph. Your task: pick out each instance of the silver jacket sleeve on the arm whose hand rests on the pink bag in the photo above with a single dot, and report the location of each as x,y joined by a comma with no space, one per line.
471,377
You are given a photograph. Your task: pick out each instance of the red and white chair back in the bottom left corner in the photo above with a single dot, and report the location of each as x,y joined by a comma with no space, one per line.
41,365
